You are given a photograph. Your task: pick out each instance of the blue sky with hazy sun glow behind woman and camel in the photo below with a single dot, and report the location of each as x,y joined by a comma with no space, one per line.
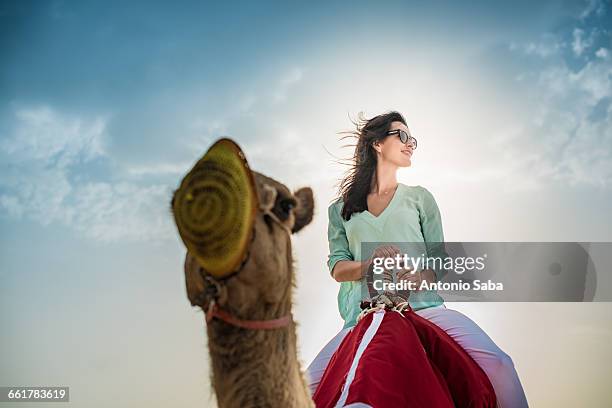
105,105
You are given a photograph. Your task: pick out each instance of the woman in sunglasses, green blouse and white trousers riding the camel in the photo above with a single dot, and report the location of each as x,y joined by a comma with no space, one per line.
374,207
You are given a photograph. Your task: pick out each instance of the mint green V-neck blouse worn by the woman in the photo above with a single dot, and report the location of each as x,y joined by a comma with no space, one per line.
412,216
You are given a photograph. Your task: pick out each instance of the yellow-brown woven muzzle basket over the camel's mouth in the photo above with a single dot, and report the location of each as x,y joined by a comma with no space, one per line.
215,207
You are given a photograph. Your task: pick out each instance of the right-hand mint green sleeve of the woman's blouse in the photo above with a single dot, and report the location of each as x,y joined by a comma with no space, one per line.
431,227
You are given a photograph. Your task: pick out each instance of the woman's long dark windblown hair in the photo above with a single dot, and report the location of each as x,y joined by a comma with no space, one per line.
355,186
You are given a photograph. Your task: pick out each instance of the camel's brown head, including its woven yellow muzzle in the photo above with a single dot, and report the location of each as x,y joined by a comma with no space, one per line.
237,225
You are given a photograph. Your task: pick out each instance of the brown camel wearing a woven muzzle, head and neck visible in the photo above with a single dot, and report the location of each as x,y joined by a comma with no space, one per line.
236,225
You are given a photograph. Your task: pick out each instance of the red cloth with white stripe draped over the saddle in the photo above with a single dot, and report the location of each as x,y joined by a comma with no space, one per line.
393,359
